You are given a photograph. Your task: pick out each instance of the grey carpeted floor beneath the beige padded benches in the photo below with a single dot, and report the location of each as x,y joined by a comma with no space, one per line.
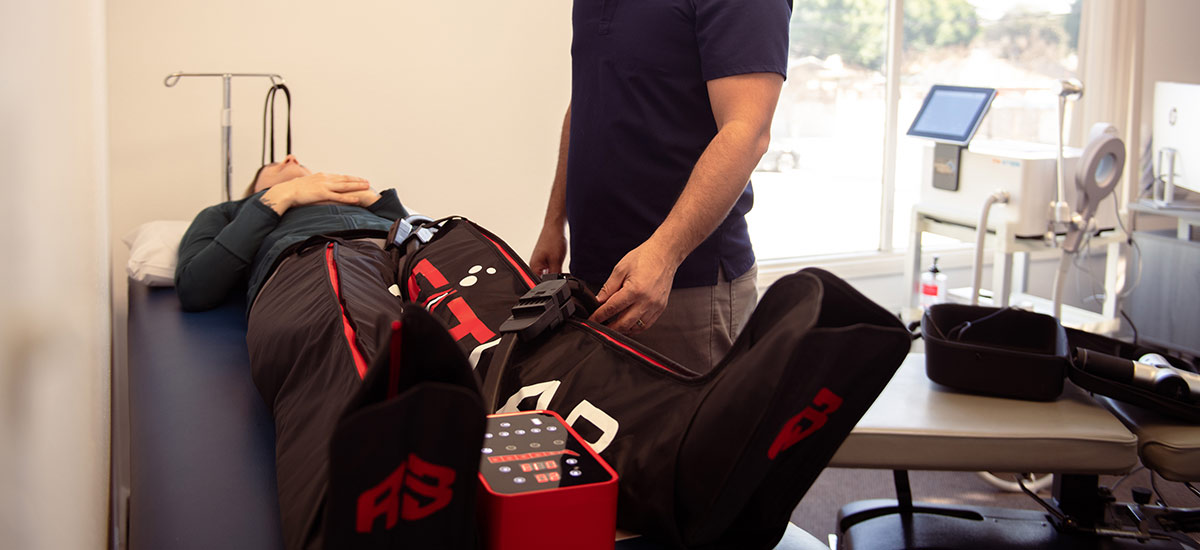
818,512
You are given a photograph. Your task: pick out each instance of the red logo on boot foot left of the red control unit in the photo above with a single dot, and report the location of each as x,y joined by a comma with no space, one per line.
392,501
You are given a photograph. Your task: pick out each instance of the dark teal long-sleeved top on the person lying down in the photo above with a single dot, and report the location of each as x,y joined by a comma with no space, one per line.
236,244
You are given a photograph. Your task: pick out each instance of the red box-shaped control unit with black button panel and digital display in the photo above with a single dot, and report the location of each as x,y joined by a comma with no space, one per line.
543,487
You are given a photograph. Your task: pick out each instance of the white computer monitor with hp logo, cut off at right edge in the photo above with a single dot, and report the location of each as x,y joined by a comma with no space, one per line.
1177,144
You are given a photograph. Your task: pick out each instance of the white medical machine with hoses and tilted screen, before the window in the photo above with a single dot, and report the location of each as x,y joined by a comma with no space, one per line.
1063,199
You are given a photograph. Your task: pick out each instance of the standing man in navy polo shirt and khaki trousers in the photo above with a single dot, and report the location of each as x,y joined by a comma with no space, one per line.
671,109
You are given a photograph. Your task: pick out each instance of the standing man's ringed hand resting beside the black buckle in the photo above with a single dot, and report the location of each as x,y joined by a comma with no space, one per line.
637,294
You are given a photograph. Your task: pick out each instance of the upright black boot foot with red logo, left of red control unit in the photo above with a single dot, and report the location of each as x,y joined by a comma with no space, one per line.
405,457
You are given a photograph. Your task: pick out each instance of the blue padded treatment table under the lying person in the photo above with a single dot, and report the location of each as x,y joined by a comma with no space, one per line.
202,450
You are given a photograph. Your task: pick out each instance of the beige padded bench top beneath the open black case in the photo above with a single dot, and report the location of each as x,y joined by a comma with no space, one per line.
916,425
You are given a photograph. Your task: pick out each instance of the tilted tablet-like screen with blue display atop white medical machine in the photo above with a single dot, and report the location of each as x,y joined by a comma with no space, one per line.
952,115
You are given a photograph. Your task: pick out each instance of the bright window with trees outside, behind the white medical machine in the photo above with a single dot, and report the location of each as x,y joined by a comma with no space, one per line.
820,188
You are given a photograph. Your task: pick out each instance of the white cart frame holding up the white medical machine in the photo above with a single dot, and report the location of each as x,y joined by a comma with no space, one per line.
1011,264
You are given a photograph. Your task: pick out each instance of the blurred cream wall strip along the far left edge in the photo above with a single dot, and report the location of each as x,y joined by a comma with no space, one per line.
55,286
